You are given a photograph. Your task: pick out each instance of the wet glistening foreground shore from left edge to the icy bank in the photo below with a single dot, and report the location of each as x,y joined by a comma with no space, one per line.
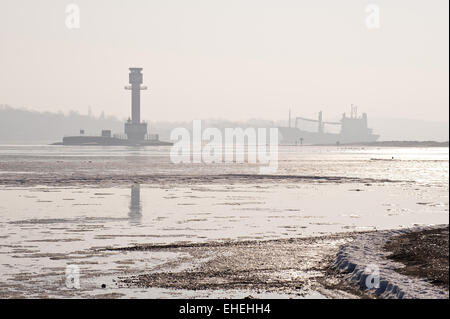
290,268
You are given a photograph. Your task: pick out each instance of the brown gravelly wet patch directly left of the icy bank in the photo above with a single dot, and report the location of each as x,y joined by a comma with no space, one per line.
292,266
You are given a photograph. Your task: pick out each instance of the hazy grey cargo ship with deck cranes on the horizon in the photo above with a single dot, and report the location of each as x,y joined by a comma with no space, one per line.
352,129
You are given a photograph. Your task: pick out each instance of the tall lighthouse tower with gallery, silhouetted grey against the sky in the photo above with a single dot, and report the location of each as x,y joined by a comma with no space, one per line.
134,128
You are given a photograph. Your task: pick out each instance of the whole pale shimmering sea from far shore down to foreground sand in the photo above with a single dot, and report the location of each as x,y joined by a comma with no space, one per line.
58,204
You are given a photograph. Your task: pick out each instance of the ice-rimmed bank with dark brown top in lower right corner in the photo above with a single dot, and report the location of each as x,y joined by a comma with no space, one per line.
413,271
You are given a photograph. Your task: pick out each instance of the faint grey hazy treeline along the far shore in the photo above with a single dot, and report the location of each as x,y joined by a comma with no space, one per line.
26,126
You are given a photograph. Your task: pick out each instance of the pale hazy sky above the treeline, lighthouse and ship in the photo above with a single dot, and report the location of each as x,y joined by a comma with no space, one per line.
235,59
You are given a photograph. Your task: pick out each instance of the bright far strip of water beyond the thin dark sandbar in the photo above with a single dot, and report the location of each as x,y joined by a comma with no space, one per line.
427,165
